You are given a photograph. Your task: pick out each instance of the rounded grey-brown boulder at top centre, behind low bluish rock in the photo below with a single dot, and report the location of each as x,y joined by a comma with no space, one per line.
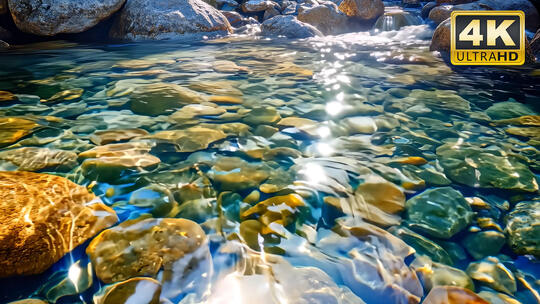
326,18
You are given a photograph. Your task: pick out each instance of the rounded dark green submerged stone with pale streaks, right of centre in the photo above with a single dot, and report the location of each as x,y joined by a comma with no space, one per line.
439,212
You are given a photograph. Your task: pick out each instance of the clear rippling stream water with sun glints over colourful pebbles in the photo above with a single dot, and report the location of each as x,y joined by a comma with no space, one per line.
375,109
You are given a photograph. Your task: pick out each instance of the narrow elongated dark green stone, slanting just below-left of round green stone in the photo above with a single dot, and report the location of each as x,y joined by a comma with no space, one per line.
422,245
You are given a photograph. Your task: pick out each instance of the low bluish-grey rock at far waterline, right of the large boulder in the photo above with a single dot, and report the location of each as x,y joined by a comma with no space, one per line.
289,27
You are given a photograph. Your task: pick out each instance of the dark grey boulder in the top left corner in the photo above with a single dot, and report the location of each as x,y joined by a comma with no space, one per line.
60,17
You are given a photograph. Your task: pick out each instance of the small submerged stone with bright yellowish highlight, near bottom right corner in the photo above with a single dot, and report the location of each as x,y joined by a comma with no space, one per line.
491,272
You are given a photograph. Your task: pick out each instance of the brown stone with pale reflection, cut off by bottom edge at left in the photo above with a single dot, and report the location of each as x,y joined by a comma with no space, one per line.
145,290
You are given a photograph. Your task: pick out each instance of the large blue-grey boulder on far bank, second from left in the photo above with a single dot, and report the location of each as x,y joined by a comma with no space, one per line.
166,19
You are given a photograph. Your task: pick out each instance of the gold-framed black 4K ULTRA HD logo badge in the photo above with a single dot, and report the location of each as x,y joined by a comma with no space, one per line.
487,38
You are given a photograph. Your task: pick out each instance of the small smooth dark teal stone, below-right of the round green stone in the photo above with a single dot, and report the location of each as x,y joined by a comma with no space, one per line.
484,243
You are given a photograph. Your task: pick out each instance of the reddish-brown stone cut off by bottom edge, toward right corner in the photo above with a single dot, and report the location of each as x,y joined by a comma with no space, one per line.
453,295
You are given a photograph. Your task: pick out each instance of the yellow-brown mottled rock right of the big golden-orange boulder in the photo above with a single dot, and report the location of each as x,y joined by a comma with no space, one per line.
143,248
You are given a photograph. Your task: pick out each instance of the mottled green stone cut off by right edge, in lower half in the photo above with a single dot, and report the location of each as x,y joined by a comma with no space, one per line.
523,228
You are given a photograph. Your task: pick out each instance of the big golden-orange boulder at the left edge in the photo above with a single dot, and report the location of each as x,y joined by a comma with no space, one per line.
44,217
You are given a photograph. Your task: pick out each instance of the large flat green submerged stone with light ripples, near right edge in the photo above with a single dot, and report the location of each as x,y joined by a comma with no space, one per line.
485,168
